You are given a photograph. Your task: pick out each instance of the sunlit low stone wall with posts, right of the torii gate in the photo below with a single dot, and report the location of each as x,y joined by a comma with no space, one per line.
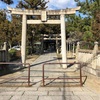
90,60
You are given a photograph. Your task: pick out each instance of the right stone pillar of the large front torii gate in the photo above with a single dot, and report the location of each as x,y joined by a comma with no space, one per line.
63,41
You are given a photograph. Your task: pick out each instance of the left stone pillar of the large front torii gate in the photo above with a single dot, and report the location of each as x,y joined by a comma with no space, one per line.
23,42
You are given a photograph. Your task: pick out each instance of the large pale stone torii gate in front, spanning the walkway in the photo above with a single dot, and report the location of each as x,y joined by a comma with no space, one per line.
44,20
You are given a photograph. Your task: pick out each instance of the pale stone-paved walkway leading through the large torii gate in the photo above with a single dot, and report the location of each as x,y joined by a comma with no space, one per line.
55,90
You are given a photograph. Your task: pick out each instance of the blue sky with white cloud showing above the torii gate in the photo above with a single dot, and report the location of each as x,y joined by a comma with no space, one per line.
52,4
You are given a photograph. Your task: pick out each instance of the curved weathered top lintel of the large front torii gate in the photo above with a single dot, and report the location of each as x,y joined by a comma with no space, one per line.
38,12
